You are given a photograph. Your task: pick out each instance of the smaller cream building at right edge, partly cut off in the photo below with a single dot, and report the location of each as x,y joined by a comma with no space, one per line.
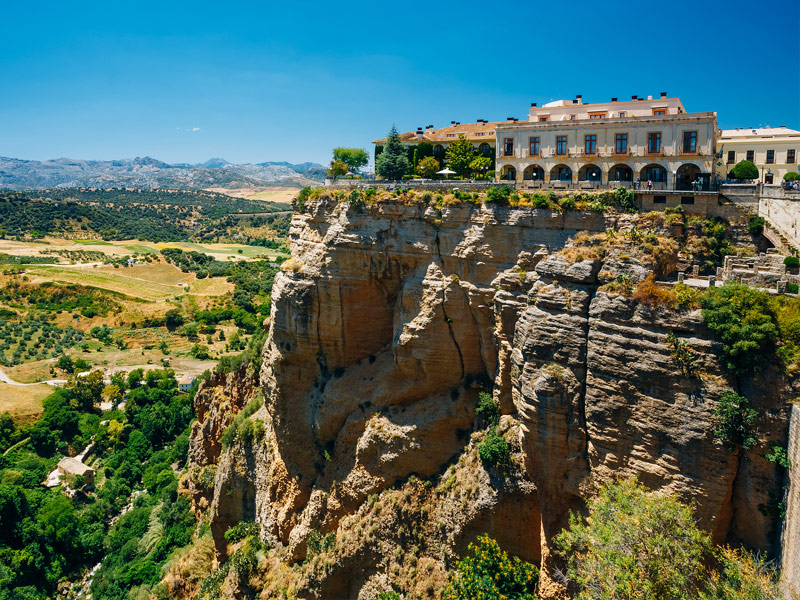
774,150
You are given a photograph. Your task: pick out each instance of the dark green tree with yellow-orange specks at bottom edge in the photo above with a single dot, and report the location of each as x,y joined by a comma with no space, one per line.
490,574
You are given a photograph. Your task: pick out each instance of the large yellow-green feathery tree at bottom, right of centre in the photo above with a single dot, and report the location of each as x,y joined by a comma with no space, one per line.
634,544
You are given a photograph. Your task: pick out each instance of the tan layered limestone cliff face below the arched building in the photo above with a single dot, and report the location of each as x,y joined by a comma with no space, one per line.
387,322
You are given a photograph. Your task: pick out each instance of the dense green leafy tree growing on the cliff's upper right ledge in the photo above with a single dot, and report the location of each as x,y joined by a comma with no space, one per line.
744,320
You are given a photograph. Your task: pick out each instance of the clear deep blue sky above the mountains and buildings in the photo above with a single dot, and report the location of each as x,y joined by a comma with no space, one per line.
260,81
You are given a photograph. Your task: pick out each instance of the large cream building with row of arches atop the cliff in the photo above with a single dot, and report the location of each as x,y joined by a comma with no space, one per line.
568,143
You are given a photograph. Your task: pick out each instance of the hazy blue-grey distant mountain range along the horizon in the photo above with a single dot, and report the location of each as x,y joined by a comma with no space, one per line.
151,173
